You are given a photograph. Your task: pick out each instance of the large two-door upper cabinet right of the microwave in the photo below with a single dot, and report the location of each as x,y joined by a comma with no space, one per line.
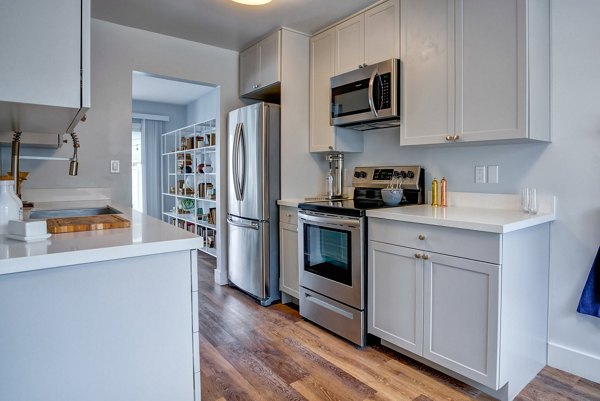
468,73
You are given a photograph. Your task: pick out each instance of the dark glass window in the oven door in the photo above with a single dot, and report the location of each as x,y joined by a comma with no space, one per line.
327,253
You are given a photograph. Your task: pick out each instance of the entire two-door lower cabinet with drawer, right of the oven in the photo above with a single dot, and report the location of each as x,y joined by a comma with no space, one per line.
473,303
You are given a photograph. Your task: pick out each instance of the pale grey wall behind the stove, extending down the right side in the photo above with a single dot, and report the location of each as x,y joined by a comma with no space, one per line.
568,168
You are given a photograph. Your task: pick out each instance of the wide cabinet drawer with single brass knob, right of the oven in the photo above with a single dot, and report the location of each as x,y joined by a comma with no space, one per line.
470,244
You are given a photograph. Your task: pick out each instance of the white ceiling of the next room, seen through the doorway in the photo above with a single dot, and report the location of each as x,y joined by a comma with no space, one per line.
155,89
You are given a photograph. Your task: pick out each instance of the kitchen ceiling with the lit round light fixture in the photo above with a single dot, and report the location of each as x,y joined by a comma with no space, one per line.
224,23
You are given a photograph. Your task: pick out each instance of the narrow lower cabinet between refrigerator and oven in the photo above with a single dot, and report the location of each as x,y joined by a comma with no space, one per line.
288,251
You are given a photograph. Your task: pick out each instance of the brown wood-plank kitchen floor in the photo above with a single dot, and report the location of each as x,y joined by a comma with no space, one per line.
253,353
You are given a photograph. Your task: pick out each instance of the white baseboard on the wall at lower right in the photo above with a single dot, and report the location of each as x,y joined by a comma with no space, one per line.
574,361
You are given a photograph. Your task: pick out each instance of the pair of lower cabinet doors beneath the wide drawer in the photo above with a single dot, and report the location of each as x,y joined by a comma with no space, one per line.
440,307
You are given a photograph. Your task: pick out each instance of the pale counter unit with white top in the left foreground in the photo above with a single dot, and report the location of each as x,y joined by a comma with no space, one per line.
100,315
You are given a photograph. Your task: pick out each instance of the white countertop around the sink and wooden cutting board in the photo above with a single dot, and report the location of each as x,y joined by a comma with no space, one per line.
146,236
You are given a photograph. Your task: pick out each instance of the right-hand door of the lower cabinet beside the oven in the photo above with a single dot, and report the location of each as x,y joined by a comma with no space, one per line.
461,316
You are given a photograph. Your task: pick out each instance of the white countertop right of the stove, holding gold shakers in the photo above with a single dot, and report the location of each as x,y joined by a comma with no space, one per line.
501,215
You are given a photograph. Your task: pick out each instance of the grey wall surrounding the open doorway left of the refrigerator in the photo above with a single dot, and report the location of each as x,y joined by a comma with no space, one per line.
116,52
